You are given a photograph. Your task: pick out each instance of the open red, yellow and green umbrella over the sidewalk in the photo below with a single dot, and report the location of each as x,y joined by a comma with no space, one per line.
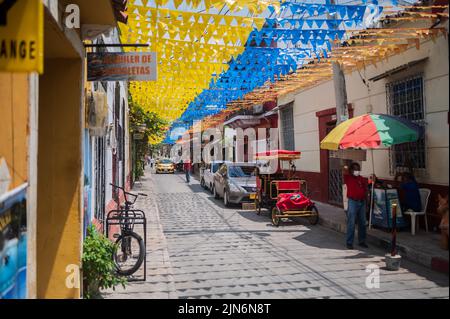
372,131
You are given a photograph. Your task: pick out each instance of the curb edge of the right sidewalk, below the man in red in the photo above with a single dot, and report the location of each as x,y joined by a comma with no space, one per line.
434,263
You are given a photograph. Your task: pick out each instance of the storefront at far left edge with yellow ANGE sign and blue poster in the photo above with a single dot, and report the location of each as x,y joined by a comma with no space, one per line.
21,59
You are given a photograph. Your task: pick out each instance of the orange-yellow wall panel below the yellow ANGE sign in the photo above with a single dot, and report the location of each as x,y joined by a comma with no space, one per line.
14,125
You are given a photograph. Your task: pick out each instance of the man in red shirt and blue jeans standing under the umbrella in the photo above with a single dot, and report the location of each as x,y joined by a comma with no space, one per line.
357,187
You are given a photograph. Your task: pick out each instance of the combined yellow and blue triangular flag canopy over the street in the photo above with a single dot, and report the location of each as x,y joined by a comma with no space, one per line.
209,59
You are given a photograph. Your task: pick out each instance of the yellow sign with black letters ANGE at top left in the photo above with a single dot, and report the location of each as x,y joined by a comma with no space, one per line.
21,36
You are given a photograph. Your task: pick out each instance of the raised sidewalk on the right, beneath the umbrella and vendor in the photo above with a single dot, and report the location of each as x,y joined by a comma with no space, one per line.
423,248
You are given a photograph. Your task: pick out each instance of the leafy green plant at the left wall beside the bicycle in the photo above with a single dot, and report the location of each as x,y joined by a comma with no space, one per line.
98,266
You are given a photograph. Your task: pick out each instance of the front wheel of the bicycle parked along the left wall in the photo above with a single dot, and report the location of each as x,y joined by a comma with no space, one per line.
129,253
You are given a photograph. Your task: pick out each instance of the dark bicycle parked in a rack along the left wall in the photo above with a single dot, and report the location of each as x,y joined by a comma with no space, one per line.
130,247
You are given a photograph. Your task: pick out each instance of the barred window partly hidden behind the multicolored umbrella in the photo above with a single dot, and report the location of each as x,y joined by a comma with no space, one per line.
405,98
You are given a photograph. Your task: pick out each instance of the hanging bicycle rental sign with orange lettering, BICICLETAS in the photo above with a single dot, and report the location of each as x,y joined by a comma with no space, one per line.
108,66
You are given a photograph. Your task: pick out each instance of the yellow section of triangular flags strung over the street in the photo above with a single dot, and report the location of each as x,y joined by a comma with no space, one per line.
189,45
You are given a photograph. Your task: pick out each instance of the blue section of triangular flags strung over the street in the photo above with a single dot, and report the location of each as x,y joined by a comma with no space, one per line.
263,61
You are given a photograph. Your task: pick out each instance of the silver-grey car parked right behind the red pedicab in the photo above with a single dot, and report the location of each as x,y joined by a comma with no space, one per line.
235,183
